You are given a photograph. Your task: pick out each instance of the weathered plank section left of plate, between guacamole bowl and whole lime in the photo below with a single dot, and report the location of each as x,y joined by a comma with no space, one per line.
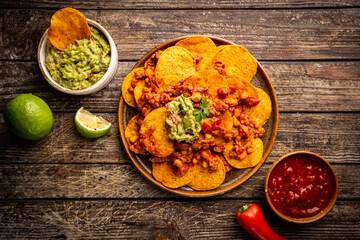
25,77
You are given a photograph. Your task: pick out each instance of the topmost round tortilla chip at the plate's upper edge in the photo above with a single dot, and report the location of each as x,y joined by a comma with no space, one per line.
200,46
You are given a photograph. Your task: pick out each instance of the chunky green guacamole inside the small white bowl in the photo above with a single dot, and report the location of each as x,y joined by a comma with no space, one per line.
81,64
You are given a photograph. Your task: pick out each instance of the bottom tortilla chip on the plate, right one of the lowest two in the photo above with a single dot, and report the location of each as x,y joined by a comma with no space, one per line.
207,179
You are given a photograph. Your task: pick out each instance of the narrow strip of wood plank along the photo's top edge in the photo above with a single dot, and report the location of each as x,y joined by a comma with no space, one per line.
155,4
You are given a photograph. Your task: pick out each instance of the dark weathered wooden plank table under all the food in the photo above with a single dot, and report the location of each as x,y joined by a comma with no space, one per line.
66,186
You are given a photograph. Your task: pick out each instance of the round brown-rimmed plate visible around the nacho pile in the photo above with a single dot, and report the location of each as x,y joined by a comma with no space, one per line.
236,176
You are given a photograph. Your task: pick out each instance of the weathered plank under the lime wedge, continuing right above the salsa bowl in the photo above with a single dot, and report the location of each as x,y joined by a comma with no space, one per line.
334,136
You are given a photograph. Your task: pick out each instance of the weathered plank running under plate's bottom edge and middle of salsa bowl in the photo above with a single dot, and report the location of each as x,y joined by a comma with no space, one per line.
21,181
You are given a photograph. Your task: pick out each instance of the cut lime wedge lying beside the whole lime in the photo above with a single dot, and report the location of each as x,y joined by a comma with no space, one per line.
89,125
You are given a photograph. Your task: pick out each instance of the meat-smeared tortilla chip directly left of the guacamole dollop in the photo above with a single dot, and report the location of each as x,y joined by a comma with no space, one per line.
164,145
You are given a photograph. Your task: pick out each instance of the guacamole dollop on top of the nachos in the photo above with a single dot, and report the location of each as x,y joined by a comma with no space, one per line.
181,122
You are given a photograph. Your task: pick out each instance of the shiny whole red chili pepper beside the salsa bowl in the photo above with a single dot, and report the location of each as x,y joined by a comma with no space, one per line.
251,218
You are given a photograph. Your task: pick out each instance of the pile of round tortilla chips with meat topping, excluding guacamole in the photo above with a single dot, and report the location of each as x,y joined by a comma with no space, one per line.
196,68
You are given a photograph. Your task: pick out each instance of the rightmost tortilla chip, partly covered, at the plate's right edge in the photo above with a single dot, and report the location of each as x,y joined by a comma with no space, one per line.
262,111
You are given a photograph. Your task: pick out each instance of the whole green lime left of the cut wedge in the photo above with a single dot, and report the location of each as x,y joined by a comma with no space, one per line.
29,117
